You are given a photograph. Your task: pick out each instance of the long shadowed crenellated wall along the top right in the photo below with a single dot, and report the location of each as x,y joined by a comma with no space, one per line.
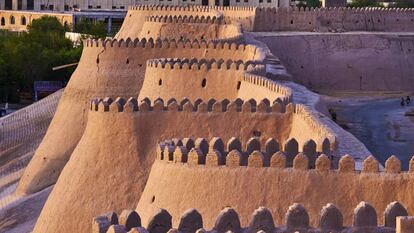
324,19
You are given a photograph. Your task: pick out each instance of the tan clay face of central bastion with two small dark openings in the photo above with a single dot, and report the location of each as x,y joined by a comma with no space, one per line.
190,81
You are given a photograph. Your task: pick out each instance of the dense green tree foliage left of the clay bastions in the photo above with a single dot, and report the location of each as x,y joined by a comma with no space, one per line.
30,56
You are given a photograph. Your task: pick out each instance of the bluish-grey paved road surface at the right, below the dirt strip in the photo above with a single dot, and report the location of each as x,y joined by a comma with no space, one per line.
383,128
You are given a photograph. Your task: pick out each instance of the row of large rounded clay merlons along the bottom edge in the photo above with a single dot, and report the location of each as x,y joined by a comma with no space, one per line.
261,220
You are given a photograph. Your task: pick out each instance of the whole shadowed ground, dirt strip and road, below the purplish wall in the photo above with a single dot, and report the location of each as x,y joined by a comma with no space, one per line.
378,120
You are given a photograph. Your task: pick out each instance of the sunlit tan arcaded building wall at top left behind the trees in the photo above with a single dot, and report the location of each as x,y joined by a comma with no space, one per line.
24,18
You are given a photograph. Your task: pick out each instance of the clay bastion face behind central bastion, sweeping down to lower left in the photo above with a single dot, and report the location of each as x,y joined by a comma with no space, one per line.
119,67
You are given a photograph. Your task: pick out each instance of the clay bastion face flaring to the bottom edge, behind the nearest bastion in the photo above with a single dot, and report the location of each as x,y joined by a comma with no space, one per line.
120,147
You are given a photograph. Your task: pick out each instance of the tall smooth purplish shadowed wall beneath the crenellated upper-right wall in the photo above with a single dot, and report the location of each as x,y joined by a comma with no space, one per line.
367,62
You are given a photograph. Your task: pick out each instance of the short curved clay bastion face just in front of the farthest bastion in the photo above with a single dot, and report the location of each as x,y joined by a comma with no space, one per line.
191,31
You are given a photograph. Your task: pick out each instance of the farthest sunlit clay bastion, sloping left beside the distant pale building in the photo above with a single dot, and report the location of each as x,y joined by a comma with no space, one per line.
136,17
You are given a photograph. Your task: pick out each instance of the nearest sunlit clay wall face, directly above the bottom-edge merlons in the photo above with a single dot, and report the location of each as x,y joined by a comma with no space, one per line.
273,187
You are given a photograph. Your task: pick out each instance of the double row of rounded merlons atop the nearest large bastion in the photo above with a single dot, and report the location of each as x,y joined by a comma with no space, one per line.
268,152
